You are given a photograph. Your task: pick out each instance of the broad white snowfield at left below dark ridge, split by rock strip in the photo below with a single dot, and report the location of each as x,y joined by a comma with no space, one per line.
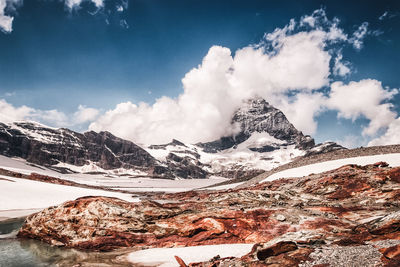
21,197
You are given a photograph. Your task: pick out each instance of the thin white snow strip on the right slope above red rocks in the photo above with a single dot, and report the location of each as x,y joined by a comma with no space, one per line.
392,159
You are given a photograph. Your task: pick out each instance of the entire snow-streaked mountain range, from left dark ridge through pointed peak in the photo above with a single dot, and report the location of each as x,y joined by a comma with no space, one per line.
265,139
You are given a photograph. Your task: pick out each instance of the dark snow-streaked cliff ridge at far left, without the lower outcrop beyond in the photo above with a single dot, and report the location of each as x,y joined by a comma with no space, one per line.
47,146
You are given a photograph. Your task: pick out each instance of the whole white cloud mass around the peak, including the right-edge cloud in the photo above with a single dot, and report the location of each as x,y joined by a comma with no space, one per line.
293,67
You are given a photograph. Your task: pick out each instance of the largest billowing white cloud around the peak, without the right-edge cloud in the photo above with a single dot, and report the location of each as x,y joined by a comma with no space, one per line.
288,62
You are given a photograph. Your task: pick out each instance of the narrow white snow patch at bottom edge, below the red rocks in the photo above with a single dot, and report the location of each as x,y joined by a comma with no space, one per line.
165,256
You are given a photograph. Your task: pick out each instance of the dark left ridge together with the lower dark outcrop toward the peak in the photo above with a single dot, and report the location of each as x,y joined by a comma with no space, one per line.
48,147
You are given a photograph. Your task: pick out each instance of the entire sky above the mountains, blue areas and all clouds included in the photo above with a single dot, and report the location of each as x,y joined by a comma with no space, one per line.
150,71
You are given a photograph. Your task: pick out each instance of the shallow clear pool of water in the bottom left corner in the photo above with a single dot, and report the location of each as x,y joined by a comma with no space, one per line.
16,252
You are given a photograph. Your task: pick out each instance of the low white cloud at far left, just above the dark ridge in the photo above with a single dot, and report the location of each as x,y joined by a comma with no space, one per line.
53,117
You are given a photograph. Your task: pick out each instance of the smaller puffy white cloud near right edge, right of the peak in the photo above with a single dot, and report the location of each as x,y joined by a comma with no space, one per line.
365,98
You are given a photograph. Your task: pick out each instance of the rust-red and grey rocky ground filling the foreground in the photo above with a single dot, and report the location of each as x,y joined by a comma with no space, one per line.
346,217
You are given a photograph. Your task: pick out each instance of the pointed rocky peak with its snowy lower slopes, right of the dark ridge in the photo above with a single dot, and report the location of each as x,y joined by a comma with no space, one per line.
266,139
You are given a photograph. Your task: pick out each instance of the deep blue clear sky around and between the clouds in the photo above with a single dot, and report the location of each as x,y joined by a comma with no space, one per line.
57,58
